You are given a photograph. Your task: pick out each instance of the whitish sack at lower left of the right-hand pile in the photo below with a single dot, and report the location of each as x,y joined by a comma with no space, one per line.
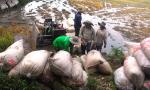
121,81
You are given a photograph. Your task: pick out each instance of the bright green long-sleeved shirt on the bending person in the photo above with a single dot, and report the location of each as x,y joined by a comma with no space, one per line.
63,43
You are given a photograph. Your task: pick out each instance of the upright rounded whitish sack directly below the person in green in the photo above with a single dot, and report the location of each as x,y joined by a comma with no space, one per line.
62,63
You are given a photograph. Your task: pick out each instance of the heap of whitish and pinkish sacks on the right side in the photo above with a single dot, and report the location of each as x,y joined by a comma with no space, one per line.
136,66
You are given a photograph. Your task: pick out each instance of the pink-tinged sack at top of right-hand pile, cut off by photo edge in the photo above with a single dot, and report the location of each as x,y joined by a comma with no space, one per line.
145,44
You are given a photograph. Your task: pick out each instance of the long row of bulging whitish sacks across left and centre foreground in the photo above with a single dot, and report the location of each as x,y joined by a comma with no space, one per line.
44,66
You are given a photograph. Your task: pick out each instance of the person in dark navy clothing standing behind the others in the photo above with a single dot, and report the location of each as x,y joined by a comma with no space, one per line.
77,23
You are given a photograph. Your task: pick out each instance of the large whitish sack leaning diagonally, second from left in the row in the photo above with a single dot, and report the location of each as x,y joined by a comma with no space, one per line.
32,64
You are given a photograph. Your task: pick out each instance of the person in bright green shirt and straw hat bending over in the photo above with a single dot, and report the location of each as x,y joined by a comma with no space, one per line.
65,43
